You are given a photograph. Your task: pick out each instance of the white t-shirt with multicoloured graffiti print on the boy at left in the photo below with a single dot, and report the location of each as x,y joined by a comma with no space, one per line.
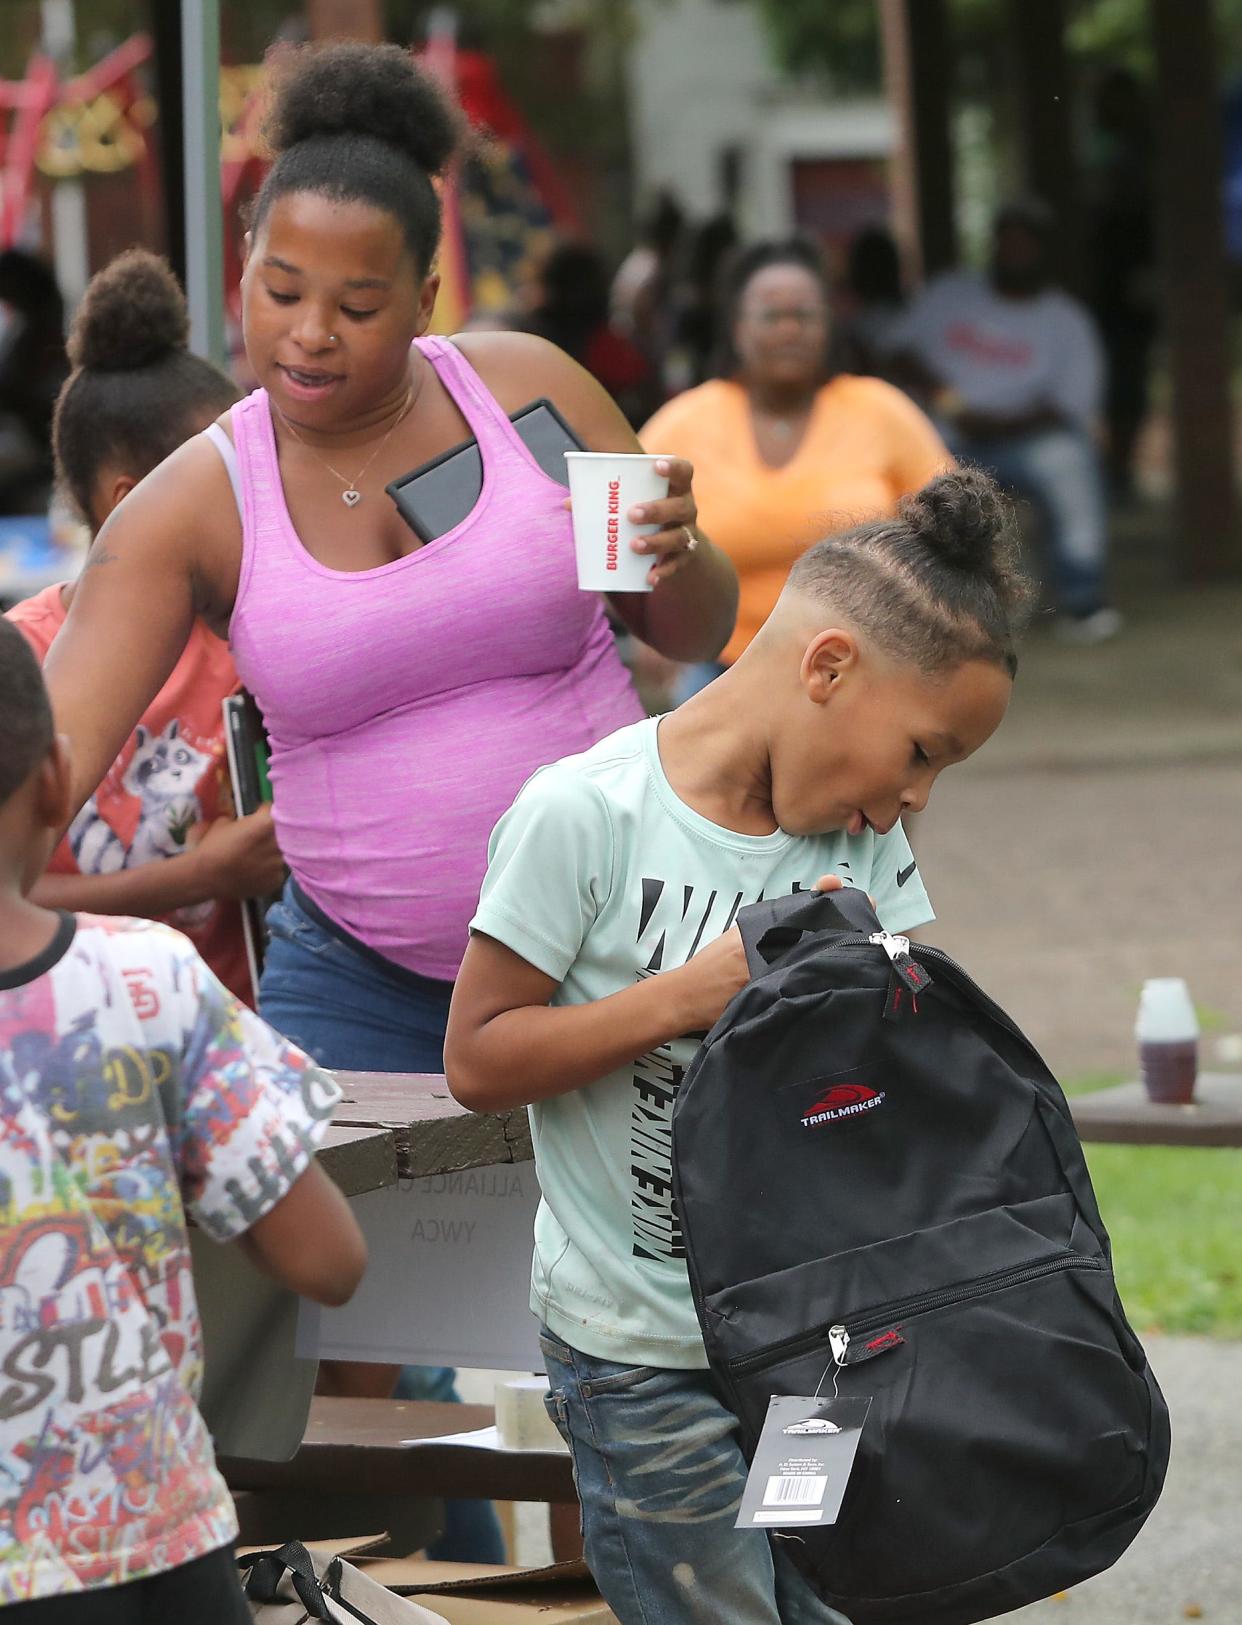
132,1090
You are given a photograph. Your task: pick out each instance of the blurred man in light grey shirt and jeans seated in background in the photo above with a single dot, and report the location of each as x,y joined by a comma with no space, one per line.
1012,370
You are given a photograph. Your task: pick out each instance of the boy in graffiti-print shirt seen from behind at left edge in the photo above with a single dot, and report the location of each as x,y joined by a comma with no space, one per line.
131,1083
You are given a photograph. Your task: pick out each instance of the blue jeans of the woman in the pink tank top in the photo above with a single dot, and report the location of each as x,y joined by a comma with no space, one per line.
354,1012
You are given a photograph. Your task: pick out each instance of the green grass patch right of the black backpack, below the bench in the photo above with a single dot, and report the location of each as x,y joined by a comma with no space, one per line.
1176,1223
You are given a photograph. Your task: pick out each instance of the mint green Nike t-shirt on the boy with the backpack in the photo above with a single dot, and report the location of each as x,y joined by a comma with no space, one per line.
599,877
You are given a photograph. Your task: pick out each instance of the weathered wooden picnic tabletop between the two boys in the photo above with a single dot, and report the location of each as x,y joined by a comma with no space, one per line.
406,1125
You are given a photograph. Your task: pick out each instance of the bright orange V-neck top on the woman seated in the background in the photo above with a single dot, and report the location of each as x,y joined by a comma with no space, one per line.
866,446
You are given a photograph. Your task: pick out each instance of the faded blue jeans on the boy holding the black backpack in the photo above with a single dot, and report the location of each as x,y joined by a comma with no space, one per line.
659,1471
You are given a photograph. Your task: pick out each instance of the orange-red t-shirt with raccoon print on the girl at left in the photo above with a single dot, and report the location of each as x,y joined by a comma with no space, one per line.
167,779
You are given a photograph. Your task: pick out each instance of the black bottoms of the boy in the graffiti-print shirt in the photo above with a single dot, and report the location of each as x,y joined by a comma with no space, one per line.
201,1593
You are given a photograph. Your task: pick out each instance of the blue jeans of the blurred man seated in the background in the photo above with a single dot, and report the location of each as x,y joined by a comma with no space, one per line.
1057,470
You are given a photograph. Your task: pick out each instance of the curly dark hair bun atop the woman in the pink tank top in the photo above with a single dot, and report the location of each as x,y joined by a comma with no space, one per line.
363,90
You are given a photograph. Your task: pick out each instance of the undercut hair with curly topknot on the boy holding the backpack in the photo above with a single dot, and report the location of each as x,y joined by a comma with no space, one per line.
937,586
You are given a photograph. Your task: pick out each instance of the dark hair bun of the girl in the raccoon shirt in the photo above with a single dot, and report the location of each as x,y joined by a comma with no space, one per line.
132,316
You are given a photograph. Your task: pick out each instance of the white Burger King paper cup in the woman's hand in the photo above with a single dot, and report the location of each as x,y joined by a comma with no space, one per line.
604,488
